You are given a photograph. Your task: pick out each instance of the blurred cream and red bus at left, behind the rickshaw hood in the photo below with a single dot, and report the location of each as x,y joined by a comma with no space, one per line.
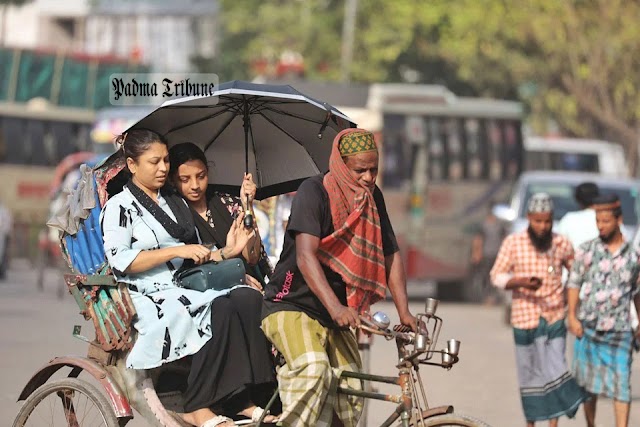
35,137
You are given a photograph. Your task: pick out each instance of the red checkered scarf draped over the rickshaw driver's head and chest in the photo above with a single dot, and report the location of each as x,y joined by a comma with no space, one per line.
354,249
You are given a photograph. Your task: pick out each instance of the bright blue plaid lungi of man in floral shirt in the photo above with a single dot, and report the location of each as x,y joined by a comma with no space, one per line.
602,363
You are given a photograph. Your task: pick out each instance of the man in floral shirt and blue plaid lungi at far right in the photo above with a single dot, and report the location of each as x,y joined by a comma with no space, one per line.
602,284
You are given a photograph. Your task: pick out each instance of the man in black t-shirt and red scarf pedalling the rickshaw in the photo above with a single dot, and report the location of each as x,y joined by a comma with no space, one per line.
339,252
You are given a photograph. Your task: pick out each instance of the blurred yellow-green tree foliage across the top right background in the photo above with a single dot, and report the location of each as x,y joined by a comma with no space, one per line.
573,62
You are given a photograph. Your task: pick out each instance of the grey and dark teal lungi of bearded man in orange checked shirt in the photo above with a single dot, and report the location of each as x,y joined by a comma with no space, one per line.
547,389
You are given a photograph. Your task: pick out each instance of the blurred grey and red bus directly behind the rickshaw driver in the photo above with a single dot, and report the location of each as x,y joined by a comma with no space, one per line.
444,161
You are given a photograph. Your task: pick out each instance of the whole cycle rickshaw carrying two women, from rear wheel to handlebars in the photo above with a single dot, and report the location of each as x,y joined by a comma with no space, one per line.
107,392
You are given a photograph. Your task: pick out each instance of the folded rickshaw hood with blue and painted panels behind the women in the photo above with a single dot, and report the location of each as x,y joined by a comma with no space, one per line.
103,301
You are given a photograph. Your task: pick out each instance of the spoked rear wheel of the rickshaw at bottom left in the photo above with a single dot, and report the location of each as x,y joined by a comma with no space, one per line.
66,402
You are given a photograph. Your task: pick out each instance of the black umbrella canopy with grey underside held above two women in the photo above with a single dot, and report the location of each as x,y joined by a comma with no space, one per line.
276,133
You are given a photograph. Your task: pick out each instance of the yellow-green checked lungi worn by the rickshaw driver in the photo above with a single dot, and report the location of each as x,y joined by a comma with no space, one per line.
315,357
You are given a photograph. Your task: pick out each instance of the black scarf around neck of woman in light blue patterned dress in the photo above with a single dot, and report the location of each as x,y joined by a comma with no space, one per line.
184,229
